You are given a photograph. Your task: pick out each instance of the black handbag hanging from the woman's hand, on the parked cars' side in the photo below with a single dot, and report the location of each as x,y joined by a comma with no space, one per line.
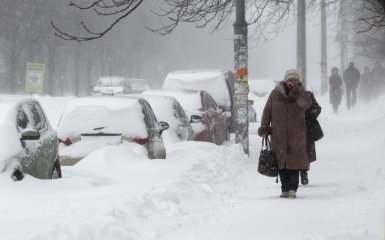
267,164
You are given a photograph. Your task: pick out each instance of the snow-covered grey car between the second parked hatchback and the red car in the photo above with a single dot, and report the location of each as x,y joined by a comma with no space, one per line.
169,110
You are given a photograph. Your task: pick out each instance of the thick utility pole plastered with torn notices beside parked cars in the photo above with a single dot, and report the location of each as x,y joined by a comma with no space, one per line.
241,86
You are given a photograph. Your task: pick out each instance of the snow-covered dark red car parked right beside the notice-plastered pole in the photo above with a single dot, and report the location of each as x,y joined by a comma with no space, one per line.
209,121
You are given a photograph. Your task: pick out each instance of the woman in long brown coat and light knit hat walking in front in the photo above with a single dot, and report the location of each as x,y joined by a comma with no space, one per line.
284,119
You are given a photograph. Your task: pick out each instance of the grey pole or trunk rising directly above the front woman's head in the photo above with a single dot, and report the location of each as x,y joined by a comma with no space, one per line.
301,40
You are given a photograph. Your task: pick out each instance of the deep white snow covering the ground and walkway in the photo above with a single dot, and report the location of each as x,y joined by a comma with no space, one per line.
203,191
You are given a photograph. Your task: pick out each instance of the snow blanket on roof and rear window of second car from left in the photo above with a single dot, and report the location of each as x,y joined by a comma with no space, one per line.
102,114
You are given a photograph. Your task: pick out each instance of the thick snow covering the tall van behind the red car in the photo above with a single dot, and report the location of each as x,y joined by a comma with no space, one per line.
212,81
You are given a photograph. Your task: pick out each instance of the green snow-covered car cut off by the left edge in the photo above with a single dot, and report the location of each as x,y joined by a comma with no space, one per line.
29,144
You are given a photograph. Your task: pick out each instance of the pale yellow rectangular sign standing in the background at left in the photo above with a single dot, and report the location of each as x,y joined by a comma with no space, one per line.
34,80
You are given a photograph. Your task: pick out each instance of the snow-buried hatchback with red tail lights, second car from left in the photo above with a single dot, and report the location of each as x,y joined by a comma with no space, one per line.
91,123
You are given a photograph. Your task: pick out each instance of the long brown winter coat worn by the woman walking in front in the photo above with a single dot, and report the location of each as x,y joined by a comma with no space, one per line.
284,118
